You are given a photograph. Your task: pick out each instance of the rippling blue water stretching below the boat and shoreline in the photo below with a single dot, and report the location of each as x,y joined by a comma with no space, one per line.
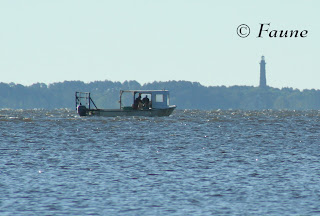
191,163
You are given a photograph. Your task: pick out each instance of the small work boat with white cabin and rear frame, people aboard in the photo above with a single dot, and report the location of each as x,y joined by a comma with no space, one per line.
132,103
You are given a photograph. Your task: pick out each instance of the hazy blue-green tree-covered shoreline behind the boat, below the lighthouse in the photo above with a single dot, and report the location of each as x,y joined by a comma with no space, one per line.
184,94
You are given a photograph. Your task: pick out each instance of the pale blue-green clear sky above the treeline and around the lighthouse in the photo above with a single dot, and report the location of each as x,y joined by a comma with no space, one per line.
149,40
